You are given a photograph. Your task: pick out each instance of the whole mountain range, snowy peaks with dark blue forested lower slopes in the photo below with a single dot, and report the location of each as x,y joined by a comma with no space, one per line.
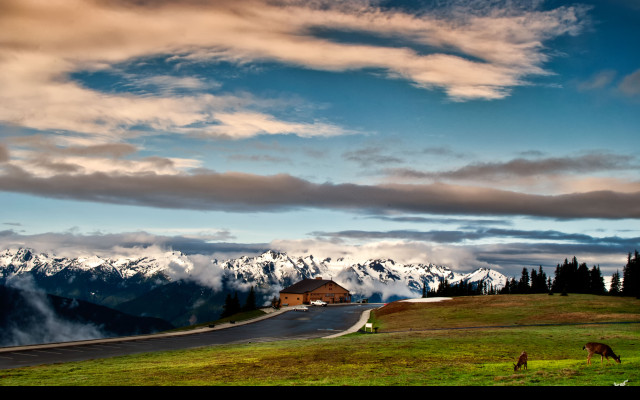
186,289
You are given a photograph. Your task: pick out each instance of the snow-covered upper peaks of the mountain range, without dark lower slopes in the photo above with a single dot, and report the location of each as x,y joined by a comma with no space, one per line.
270,271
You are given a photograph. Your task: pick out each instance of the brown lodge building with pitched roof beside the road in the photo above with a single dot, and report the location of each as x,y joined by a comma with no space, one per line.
308,290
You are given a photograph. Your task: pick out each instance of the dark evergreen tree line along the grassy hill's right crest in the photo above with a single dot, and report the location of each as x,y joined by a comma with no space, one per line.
569,277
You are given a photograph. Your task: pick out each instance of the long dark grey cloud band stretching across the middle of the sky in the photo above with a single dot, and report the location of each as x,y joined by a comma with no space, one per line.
238,192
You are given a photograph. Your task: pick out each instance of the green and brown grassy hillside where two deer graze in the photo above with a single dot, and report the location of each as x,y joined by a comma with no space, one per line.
459,342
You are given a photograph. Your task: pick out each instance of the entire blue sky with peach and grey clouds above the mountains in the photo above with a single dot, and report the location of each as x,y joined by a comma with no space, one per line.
496,134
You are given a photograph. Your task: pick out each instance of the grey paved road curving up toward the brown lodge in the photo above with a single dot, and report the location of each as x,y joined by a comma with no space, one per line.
315,323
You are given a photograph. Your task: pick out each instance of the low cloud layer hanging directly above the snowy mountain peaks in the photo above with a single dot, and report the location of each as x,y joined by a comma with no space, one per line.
462,251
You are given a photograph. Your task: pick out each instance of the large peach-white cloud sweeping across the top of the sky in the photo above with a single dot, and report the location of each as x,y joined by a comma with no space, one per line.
45,42
